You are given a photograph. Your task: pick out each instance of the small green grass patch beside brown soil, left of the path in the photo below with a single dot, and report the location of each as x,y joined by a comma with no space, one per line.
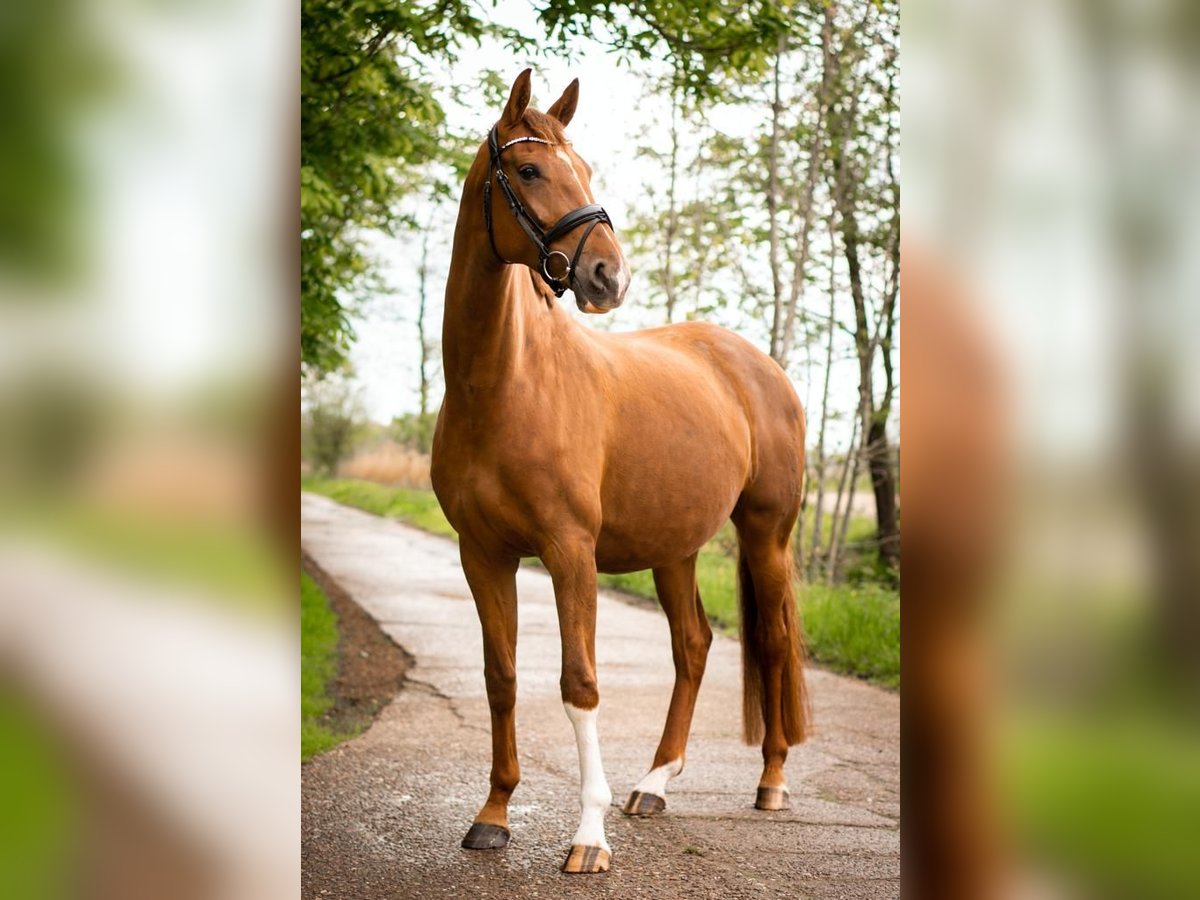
319,669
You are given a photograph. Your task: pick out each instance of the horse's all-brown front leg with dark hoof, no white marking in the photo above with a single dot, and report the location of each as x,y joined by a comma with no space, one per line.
494,585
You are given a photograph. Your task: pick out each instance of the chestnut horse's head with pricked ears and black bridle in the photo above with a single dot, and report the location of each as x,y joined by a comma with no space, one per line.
538,203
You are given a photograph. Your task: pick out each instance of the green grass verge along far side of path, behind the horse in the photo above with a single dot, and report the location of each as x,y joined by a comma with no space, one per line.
851,629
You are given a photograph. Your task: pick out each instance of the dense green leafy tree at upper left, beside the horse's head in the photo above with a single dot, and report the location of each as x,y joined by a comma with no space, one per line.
370,122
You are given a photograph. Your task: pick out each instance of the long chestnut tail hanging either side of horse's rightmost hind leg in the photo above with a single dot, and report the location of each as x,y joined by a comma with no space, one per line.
760,640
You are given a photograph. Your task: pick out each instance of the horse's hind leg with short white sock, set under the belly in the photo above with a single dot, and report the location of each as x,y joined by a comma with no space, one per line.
691,639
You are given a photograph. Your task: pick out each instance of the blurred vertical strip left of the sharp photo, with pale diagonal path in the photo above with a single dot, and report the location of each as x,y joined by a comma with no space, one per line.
148,638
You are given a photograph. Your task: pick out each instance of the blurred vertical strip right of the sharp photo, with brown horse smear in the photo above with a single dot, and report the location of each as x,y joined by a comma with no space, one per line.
1053,447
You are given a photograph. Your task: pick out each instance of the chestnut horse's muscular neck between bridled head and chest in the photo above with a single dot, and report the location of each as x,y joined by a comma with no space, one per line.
494,317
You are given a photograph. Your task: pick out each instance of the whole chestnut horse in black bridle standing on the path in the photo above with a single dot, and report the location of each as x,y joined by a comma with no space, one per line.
608,453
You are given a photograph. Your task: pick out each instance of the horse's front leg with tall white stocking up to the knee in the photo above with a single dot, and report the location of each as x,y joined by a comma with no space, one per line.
573,568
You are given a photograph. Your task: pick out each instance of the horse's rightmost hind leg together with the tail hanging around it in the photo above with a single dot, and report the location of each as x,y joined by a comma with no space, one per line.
776,704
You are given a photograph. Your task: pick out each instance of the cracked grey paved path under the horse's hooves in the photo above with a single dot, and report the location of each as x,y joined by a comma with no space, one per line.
383,814
